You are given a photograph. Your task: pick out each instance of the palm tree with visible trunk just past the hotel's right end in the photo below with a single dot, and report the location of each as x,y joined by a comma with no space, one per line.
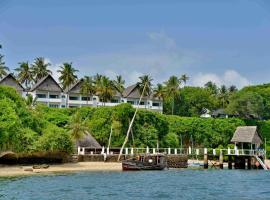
172,87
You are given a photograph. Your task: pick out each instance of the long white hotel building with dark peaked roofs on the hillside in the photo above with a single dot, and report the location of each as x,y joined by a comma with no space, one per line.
49,92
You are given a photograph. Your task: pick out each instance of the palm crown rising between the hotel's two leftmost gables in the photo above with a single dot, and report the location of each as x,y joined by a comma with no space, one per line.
25,75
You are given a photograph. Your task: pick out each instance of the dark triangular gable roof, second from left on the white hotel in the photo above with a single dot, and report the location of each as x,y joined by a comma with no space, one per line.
47,83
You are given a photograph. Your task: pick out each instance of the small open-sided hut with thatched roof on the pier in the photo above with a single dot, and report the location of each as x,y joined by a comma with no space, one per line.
247,136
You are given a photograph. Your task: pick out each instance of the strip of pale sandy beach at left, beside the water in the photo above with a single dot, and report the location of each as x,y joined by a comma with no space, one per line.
7,171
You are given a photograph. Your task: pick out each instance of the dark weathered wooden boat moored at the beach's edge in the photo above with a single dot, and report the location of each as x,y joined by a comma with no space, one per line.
145,162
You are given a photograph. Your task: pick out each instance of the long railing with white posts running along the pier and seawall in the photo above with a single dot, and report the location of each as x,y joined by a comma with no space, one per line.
171,151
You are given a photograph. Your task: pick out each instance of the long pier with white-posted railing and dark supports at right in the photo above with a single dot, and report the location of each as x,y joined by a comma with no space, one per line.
236,158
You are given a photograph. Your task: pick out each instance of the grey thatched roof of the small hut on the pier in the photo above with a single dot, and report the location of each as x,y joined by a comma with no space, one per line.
247,134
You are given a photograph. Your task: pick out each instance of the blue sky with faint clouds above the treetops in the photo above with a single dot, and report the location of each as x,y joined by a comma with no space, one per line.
227,41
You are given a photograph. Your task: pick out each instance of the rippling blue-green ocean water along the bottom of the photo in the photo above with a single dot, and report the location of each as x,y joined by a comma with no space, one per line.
167,184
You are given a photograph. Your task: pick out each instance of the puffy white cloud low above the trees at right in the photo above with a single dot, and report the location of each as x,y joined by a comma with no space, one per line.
230,77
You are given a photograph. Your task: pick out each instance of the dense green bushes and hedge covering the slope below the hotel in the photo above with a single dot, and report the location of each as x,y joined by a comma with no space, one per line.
28,129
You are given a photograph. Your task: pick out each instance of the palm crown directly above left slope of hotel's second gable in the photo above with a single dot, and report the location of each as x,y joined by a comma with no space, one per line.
40,69
